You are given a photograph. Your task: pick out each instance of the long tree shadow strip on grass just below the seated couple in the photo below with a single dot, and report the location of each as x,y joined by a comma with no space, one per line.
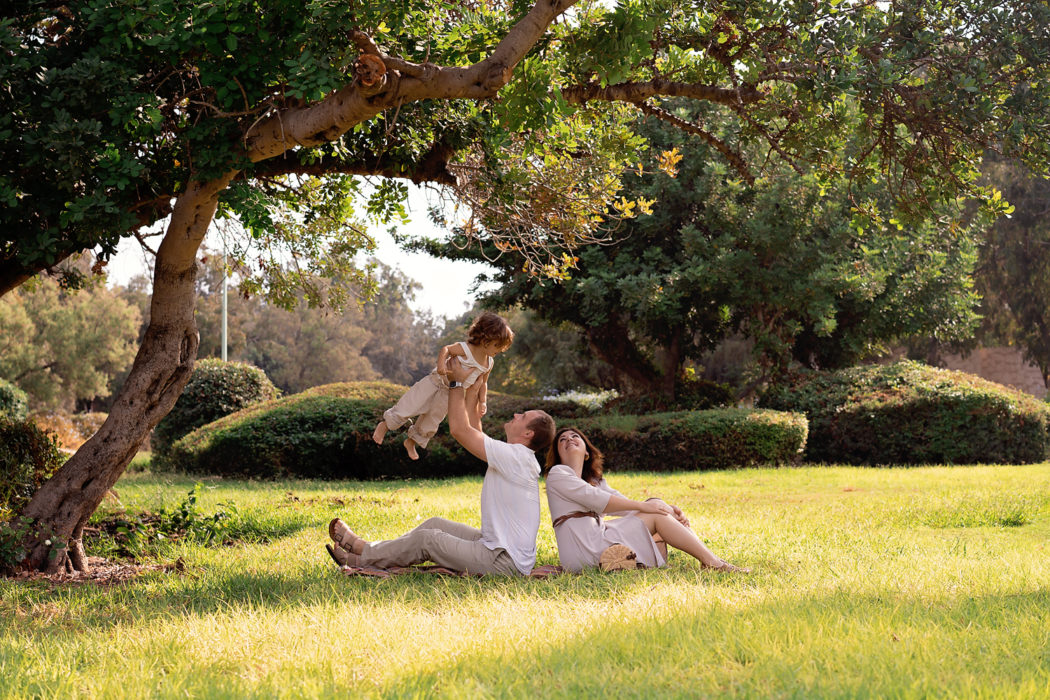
214,589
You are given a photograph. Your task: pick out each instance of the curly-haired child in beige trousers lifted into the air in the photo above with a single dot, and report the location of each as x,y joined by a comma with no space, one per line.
489,336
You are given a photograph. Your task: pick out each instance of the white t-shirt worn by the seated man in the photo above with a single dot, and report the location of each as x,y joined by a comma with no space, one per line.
511,502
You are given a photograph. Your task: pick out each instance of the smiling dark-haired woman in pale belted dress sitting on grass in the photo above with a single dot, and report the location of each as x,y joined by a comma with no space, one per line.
579,497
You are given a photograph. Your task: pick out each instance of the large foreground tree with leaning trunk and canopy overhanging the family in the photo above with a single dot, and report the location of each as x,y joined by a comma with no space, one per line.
117,115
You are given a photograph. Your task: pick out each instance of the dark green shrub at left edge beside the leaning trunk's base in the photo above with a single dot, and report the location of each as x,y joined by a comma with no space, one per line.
29,457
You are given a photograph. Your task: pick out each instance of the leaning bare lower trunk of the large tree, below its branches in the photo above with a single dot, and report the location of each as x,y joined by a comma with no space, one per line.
61,508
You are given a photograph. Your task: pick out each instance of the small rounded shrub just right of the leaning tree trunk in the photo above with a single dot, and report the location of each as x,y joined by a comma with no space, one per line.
216,390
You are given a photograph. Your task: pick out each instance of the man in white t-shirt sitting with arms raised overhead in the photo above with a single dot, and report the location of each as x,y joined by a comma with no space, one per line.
510,503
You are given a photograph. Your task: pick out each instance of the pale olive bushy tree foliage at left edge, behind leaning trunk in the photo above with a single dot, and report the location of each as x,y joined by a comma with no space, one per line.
62,345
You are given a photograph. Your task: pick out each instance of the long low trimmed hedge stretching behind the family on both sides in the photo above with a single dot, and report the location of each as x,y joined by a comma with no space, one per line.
326,433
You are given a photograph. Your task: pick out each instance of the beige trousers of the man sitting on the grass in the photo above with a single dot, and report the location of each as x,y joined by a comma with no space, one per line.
445,543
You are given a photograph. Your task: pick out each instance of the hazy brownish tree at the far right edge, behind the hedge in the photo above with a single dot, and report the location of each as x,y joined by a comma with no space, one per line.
1014,275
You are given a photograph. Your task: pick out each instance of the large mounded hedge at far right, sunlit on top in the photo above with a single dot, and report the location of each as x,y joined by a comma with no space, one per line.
909,413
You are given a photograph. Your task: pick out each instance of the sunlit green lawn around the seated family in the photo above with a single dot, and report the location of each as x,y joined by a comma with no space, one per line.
868,583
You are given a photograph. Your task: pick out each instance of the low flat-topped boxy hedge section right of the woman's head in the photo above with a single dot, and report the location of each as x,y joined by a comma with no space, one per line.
682,441
